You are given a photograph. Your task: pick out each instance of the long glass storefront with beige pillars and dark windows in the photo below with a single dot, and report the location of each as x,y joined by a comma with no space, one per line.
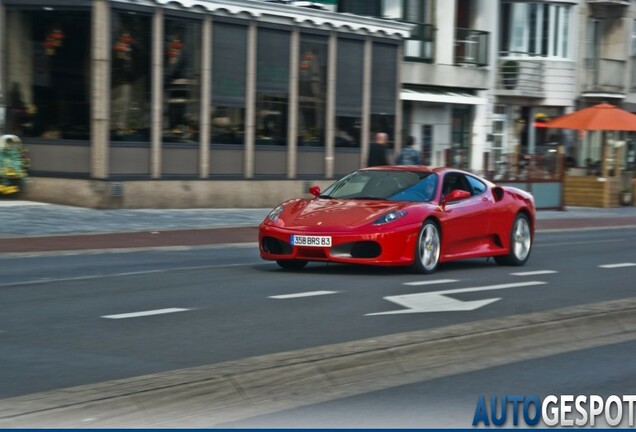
140,99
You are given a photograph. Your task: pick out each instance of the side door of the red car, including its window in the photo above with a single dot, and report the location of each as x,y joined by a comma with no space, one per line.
466,224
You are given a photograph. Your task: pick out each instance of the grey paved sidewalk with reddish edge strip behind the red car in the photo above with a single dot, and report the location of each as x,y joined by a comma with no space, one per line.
36,227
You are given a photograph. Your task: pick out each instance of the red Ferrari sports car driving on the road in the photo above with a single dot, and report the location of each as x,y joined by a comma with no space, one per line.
401,216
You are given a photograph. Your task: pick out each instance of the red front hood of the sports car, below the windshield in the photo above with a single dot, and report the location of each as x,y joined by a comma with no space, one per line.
336,213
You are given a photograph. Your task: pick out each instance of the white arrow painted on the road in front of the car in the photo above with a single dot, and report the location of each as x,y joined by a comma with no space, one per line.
436,301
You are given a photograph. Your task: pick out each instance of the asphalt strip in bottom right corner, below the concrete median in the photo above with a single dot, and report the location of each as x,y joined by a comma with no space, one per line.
452,401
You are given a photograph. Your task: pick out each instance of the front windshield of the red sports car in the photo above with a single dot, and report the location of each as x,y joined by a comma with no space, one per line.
384,185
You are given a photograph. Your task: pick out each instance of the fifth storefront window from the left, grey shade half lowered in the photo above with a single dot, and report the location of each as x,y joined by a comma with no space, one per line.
272,86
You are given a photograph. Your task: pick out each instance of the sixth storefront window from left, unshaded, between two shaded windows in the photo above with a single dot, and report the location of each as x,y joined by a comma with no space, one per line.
312,90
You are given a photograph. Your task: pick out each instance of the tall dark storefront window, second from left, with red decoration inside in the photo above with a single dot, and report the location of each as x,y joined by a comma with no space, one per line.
130,78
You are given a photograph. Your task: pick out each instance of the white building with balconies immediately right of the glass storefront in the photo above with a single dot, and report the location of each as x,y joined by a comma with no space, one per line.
445,72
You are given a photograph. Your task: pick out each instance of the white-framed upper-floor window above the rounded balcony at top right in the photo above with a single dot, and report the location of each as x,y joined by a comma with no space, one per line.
534,28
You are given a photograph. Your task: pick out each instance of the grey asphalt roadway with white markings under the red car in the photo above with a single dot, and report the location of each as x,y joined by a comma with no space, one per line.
64,319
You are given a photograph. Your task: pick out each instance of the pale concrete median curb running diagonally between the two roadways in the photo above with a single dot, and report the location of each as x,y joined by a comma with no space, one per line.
214,394
